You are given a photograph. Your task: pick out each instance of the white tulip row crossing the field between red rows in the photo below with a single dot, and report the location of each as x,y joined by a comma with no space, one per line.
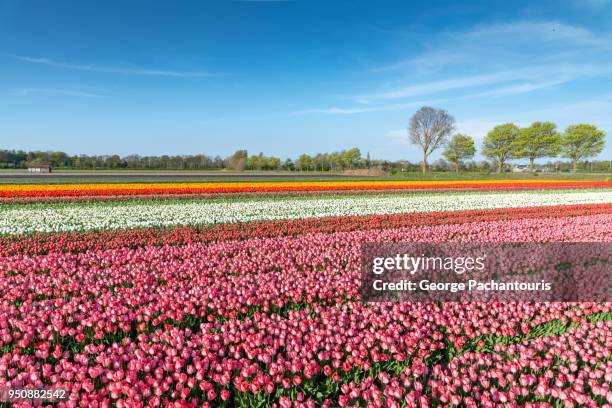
79,217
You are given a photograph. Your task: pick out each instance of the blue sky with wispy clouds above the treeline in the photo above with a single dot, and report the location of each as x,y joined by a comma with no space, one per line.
286,77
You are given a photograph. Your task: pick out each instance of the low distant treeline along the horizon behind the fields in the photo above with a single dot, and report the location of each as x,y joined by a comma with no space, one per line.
241,160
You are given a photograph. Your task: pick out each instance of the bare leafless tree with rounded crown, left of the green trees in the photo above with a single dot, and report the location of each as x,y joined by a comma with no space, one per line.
430,128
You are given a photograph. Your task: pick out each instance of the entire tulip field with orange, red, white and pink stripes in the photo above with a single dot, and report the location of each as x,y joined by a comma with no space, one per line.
247,294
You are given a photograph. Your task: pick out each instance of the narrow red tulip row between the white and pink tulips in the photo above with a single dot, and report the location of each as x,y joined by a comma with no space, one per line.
42,243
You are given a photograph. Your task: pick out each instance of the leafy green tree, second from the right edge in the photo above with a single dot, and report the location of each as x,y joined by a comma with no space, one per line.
541,139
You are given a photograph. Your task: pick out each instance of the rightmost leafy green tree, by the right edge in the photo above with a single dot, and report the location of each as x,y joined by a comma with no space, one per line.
581,141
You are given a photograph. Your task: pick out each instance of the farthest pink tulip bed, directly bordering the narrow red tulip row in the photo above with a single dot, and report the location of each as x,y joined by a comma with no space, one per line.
108,290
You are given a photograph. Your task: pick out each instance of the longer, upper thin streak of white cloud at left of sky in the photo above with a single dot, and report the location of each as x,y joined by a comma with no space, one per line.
118,70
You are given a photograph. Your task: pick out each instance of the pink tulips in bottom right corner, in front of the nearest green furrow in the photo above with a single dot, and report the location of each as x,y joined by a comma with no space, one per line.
570,370
